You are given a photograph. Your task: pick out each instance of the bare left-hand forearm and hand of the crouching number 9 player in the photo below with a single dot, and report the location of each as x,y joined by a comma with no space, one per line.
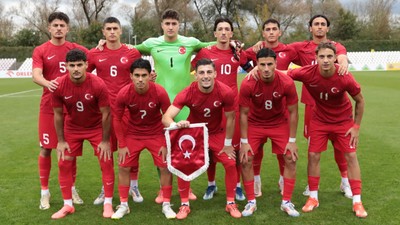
62,145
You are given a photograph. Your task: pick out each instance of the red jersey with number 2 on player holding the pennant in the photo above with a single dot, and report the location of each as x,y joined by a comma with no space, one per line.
207,107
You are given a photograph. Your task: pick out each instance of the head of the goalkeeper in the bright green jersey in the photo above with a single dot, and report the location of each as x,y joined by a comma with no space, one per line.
170,24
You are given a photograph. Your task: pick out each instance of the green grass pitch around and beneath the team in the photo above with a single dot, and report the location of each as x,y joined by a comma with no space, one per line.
378,156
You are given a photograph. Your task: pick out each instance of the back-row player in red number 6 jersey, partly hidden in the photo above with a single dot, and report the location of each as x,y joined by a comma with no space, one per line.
112,64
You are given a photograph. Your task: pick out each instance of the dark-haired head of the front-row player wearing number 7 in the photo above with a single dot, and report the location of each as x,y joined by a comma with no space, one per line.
140,74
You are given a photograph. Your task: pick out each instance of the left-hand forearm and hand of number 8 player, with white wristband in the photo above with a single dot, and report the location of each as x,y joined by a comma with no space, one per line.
244,142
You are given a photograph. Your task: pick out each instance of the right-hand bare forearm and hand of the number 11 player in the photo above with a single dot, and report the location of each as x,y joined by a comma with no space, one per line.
358,114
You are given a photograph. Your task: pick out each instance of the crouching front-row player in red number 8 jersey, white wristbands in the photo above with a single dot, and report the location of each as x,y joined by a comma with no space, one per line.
264,103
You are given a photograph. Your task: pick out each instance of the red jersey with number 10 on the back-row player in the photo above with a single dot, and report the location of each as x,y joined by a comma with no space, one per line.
226,65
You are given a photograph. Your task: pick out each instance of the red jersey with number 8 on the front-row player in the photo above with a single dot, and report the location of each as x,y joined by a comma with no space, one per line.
267,101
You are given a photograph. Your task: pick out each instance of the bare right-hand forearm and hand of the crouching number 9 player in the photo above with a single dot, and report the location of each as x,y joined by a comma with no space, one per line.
104,146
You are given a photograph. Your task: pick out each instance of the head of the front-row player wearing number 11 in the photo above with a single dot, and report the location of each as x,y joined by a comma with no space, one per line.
326,56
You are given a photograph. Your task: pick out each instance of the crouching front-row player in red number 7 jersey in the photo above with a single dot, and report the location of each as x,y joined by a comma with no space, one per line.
145,101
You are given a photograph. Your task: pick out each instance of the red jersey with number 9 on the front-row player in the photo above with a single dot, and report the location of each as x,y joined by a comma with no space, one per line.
82,101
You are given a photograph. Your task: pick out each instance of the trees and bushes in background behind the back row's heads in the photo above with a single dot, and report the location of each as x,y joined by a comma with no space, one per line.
362,20
